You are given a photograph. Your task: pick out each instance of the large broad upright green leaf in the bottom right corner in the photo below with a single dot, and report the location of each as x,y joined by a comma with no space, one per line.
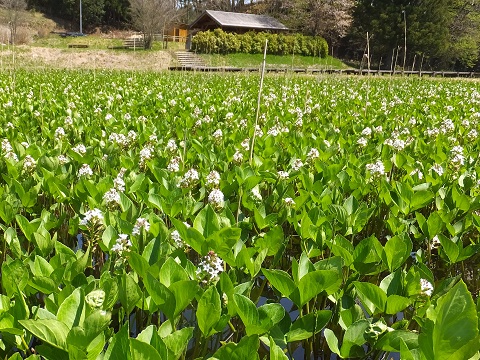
455,333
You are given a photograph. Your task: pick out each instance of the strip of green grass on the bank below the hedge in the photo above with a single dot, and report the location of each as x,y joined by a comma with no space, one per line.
254,60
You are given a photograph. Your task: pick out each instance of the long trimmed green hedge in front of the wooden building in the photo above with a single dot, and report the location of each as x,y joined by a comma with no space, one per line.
221,42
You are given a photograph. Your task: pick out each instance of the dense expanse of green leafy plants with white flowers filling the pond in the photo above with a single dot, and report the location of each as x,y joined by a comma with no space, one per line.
148,217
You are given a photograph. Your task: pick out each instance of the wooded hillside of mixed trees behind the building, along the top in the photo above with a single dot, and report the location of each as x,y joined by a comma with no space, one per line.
439,34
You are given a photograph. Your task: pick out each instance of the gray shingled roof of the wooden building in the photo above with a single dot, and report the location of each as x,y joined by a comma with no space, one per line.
240,20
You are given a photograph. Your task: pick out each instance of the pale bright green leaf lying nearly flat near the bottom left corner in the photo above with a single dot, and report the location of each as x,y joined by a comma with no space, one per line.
53,332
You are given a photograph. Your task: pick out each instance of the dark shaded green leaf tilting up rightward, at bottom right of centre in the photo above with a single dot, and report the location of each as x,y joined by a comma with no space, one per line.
308,325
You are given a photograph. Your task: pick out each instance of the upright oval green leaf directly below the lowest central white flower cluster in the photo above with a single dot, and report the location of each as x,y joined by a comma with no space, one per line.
209,311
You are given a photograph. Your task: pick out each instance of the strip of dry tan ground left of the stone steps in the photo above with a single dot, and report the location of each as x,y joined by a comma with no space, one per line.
39,57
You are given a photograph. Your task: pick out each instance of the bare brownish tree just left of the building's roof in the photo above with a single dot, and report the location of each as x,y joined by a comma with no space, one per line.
152,17
